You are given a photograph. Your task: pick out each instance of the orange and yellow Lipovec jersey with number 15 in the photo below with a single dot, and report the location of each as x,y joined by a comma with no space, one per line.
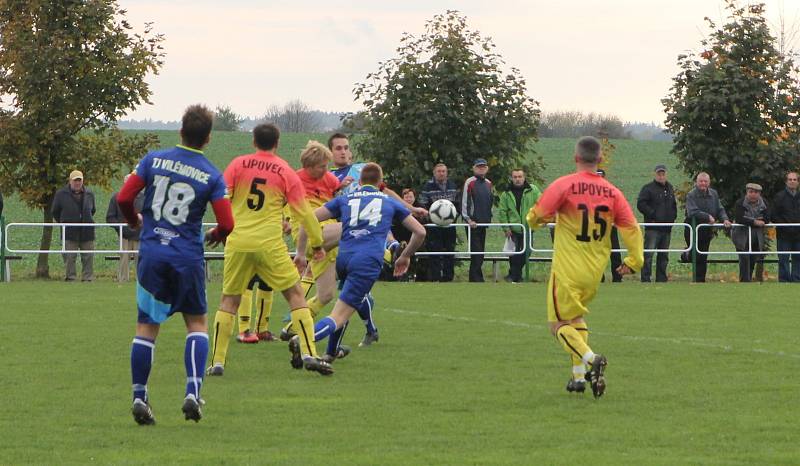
585,206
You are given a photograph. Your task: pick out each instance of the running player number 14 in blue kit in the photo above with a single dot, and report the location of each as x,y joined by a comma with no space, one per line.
366,217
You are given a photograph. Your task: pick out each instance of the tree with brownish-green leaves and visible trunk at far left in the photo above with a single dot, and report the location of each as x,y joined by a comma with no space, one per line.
68,71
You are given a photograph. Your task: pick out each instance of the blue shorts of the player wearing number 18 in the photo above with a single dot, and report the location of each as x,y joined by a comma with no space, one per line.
166,287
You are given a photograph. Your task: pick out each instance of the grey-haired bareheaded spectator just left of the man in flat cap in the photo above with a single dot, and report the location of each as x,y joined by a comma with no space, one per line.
703,206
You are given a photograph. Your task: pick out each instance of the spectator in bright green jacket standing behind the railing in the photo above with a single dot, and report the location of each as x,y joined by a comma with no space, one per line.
514,206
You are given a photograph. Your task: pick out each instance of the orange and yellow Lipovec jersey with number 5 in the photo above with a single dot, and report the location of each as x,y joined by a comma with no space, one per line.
259,186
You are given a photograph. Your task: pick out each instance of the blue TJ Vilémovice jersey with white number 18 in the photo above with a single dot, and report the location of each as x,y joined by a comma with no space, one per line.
179,184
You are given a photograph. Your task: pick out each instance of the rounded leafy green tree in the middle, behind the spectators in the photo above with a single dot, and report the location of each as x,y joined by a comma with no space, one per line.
444,98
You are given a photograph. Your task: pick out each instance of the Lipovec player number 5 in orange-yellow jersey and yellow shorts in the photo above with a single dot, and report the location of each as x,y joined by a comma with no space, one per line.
259,185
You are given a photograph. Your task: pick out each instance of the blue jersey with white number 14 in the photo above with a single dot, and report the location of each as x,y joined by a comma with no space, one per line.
366,217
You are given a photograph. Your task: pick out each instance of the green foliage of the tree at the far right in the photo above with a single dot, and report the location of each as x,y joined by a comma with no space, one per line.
732,108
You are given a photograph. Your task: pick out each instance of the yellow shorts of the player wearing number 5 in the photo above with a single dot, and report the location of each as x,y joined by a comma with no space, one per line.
274,266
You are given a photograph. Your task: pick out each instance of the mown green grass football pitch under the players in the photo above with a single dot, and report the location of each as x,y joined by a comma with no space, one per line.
463,374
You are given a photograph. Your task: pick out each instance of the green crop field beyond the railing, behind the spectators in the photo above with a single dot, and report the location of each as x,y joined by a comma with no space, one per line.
631,167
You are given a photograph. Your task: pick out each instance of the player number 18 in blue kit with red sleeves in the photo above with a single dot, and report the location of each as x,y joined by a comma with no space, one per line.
178,183
